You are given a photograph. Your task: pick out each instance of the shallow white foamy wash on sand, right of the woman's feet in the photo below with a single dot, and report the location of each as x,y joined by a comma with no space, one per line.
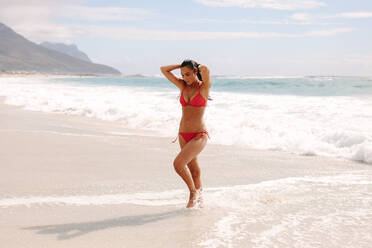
295,212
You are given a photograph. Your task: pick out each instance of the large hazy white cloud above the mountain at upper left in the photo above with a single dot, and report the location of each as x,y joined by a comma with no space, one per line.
38,19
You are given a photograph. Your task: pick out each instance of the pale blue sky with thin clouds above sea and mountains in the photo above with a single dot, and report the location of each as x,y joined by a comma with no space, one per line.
231,37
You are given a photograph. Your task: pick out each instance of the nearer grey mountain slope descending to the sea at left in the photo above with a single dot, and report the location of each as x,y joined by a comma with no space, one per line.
20,54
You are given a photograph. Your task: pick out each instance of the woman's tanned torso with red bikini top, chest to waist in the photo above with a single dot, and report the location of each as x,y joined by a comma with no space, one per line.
192,117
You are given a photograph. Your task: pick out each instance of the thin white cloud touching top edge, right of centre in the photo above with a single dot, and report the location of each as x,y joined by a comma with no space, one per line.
269,4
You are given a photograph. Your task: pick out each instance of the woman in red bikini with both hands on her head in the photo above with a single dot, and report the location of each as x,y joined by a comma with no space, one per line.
194,87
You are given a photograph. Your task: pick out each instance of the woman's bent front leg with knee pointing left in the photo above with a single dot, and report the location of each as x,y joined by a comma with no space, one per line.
188,152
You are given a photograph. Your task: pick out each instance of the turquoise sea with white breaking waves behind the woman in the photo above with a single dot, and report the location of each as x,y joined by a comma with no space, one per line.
311,115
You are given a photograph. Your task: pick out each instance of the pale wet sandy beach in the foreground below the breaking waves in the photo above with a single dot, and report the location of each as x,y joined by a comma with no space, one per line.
71,181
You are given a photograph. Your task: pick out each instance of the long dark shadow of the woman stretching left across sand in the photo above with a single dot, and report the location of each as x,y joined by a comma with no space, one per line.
71,230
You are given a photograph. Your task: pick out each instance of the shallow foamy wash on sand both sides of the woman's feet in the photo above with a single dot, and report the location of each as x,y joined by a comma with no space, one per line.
292,212
